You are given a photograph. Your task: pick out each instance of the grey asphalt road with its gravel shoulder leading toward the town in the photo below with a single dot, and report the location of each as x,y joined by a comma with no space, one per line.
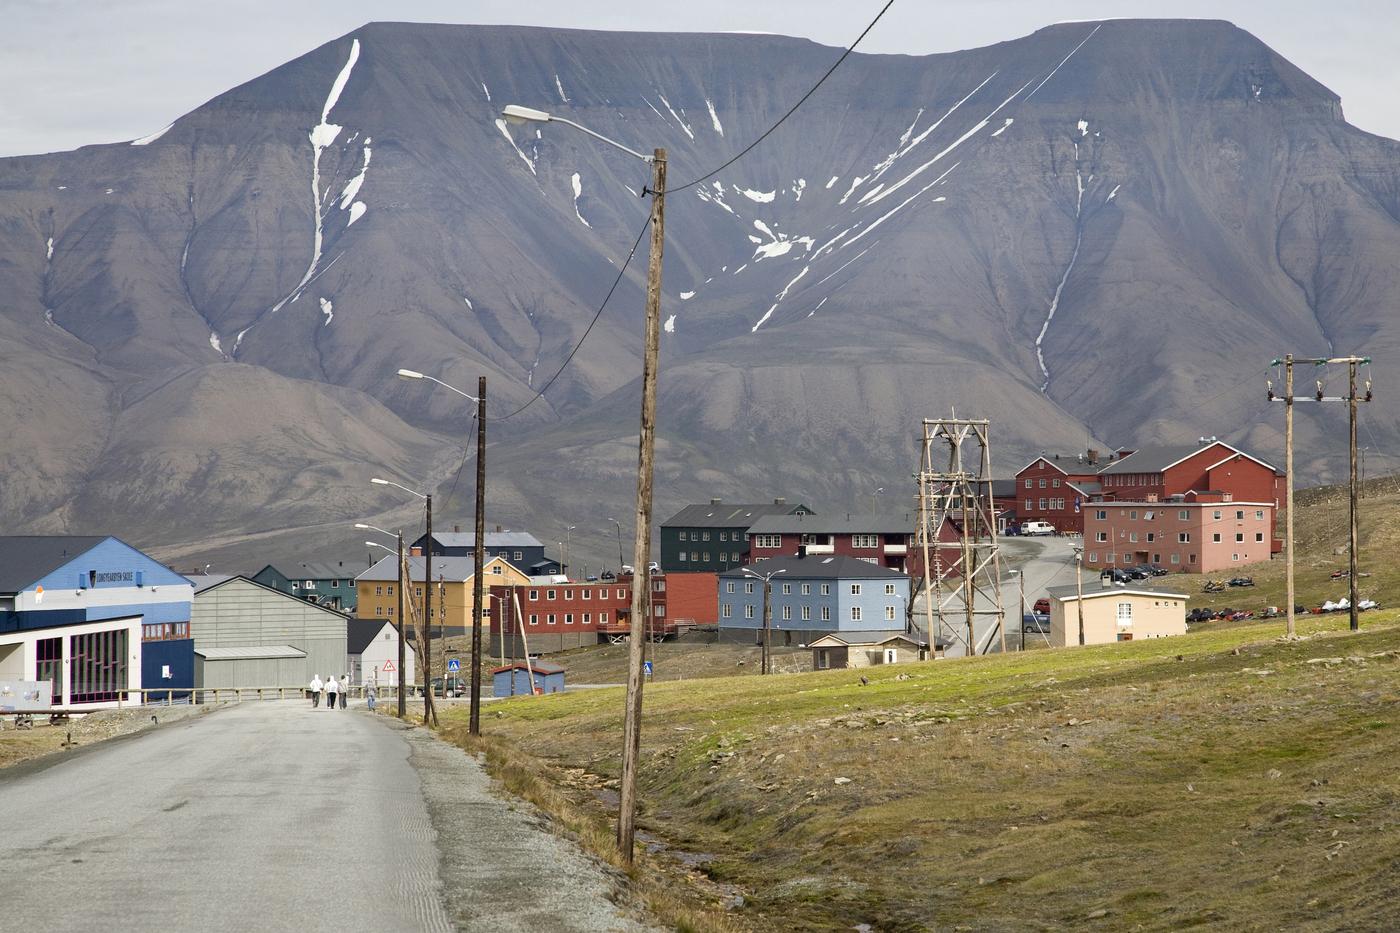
279,817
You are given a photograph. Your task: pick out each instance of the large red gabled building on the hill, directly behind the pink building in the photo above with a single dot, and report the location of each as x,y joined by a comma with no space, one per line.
1156,474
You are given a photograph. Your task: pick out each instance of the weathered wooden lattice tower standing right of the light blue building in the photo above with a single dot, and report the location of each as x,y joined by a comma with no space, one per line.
962,579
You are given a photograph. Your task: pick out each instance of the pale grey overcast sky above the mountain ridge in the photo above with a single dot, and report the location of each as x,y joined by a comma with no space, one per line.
76,72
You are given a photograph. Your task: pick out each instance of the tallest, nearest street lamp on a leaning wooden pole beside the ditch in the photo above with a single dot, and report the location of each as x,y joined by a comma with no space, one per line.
646,452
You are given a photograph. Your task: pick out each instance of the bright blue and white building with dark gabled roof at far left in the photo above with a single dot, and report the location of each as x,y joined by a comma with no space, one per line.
96,618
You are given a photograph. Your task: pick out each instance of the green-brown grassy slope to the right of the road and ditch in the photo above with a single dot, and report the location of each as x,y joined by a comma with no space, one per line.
1030,791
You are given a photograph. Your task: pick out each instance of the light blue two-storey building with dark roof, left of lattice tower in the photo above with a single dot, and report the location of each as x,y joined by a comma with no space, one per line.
813,597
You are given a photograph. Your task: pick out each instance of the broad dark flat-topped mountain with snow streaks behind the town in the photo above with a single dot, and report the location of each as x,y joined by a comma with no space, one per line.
1098,235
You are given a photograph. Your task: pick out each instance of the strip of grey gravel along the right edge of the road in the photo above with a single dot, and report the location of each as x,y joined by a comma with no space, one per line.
502,866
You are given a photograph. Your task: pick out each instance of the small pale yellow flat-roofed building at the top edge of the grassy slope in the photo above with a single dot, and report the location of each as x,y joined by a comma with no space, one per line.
1115,614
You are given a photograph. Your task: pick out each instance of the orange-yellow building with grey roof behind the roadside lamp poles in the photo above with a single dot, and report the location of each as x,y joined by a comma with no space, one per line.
379,597
